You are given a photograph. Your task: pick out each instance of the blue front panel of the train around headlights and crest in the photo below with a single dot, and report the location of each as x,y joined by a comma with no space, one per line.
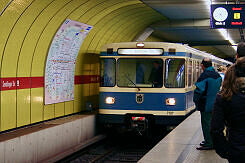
151,101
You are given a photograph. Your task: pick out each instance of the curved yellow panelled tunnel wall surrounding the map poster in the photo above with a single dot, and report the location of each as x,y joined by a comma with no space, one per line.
27,28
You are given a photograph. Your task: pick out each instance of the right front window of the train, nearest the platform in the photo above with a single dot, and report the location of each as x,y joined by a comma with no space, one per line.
175,73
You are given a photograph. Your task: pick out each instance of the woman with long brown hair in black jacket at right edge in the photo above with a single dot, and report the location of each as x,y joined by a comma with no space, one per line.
229,111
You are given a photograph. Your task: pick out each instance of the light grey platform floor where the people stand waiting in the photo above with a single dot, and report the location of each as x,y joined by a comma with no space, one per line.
180,145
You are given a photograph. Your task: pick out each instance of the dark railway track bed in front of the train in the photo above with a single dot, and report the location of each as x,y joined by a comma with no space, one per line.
116,148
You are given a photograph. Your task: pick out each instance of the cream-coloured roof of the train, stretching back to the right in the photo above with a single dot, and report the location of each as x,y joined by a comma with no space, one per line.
179,47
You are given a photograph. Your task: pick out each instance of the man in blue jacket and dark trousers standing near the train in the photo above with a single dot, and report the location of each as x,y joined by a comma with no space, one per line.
207,86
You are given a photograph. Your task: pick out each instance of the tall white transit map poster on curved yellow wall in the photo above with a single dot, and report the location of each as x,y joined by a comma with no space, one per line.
60,64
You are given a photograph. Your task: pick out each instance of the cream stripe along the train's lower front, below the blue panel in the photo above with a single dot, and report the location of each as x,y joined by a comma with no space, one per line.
159,113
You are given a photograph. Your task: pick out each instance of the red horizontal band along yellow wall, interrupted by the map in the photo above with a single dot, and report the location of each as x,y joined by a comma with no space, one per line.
38,82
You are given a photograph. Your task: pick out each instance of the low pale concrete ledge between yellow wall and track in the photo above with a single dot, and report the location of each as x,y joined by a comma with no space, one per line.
49,141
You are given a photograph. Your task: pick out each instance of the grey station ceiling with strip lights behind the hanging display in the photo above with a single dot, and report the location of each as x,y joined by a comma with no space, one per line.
188,22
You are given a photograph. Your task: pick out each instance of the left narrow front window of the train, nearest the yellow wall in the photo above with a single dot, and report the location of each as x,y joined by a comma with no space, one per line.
107,72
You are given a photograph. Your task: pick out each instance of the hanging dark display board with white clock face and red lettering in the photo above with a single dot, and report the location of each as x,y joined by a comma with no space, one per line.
227,16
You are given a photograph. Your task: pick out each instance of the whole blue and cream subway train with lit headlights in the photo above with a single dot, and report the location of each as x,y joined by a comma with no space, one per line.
148,83
